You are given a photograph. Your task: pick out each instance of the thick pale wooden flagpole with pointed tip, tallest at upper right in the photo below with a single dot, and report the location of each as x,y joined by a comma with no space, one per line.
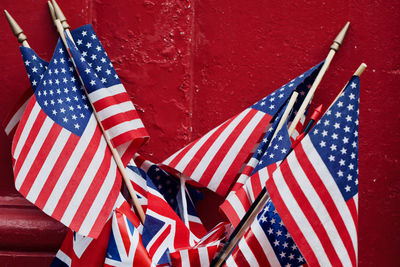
333,49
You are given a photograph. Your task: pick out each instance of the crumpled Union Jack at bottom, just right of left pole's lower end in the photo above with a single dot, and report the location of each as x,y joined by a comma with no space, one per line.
163,230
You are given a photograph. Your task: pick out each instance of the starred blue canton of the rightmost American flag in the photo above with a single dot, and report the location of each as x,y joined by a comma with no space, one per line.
335,137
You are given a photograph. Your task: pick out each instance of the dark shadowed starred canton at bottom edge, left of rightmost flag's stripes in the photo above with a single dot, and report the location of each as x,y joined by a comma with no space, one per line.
281,241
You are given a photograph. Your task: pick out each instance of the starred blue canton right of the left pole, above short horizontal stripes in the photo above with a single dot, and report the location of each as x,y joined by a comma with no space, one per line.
93,53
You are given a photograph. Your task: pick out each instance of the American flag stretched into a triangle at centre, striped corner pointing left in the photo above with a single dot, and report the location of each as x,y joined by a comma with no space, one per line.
215,159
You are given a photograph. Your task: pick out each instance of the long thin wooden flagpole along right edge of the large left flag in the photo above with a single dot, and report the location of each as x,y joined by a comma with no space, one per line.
114,152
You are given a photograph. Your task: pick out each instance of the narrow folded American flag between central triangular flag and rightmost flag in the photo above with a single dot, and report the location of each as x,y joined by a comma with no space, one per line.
250,183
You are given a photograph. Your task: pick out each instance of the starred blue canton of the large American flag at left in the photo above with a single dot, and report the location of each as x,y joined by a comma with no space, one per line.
61,95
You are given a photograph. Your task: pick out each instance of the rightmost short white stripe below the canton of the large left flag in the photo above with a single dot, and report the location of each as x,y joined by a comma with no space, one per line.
48,165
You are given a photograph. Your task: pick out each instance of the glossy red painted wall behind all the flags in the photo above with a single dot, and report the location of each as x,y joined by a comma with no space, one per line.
190,65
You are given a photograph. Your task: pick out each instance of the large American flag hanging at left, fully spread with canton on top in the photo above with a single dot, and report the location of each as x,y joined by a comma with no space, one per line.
60,158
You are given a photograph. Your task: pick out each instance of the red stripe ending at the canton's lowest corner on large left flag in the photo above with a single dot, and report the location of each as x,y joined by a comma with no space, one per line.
58,168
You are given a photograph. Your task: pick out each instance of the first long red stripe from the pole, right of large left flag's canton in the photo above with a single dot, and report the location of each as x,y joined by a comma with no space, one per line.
77,176
